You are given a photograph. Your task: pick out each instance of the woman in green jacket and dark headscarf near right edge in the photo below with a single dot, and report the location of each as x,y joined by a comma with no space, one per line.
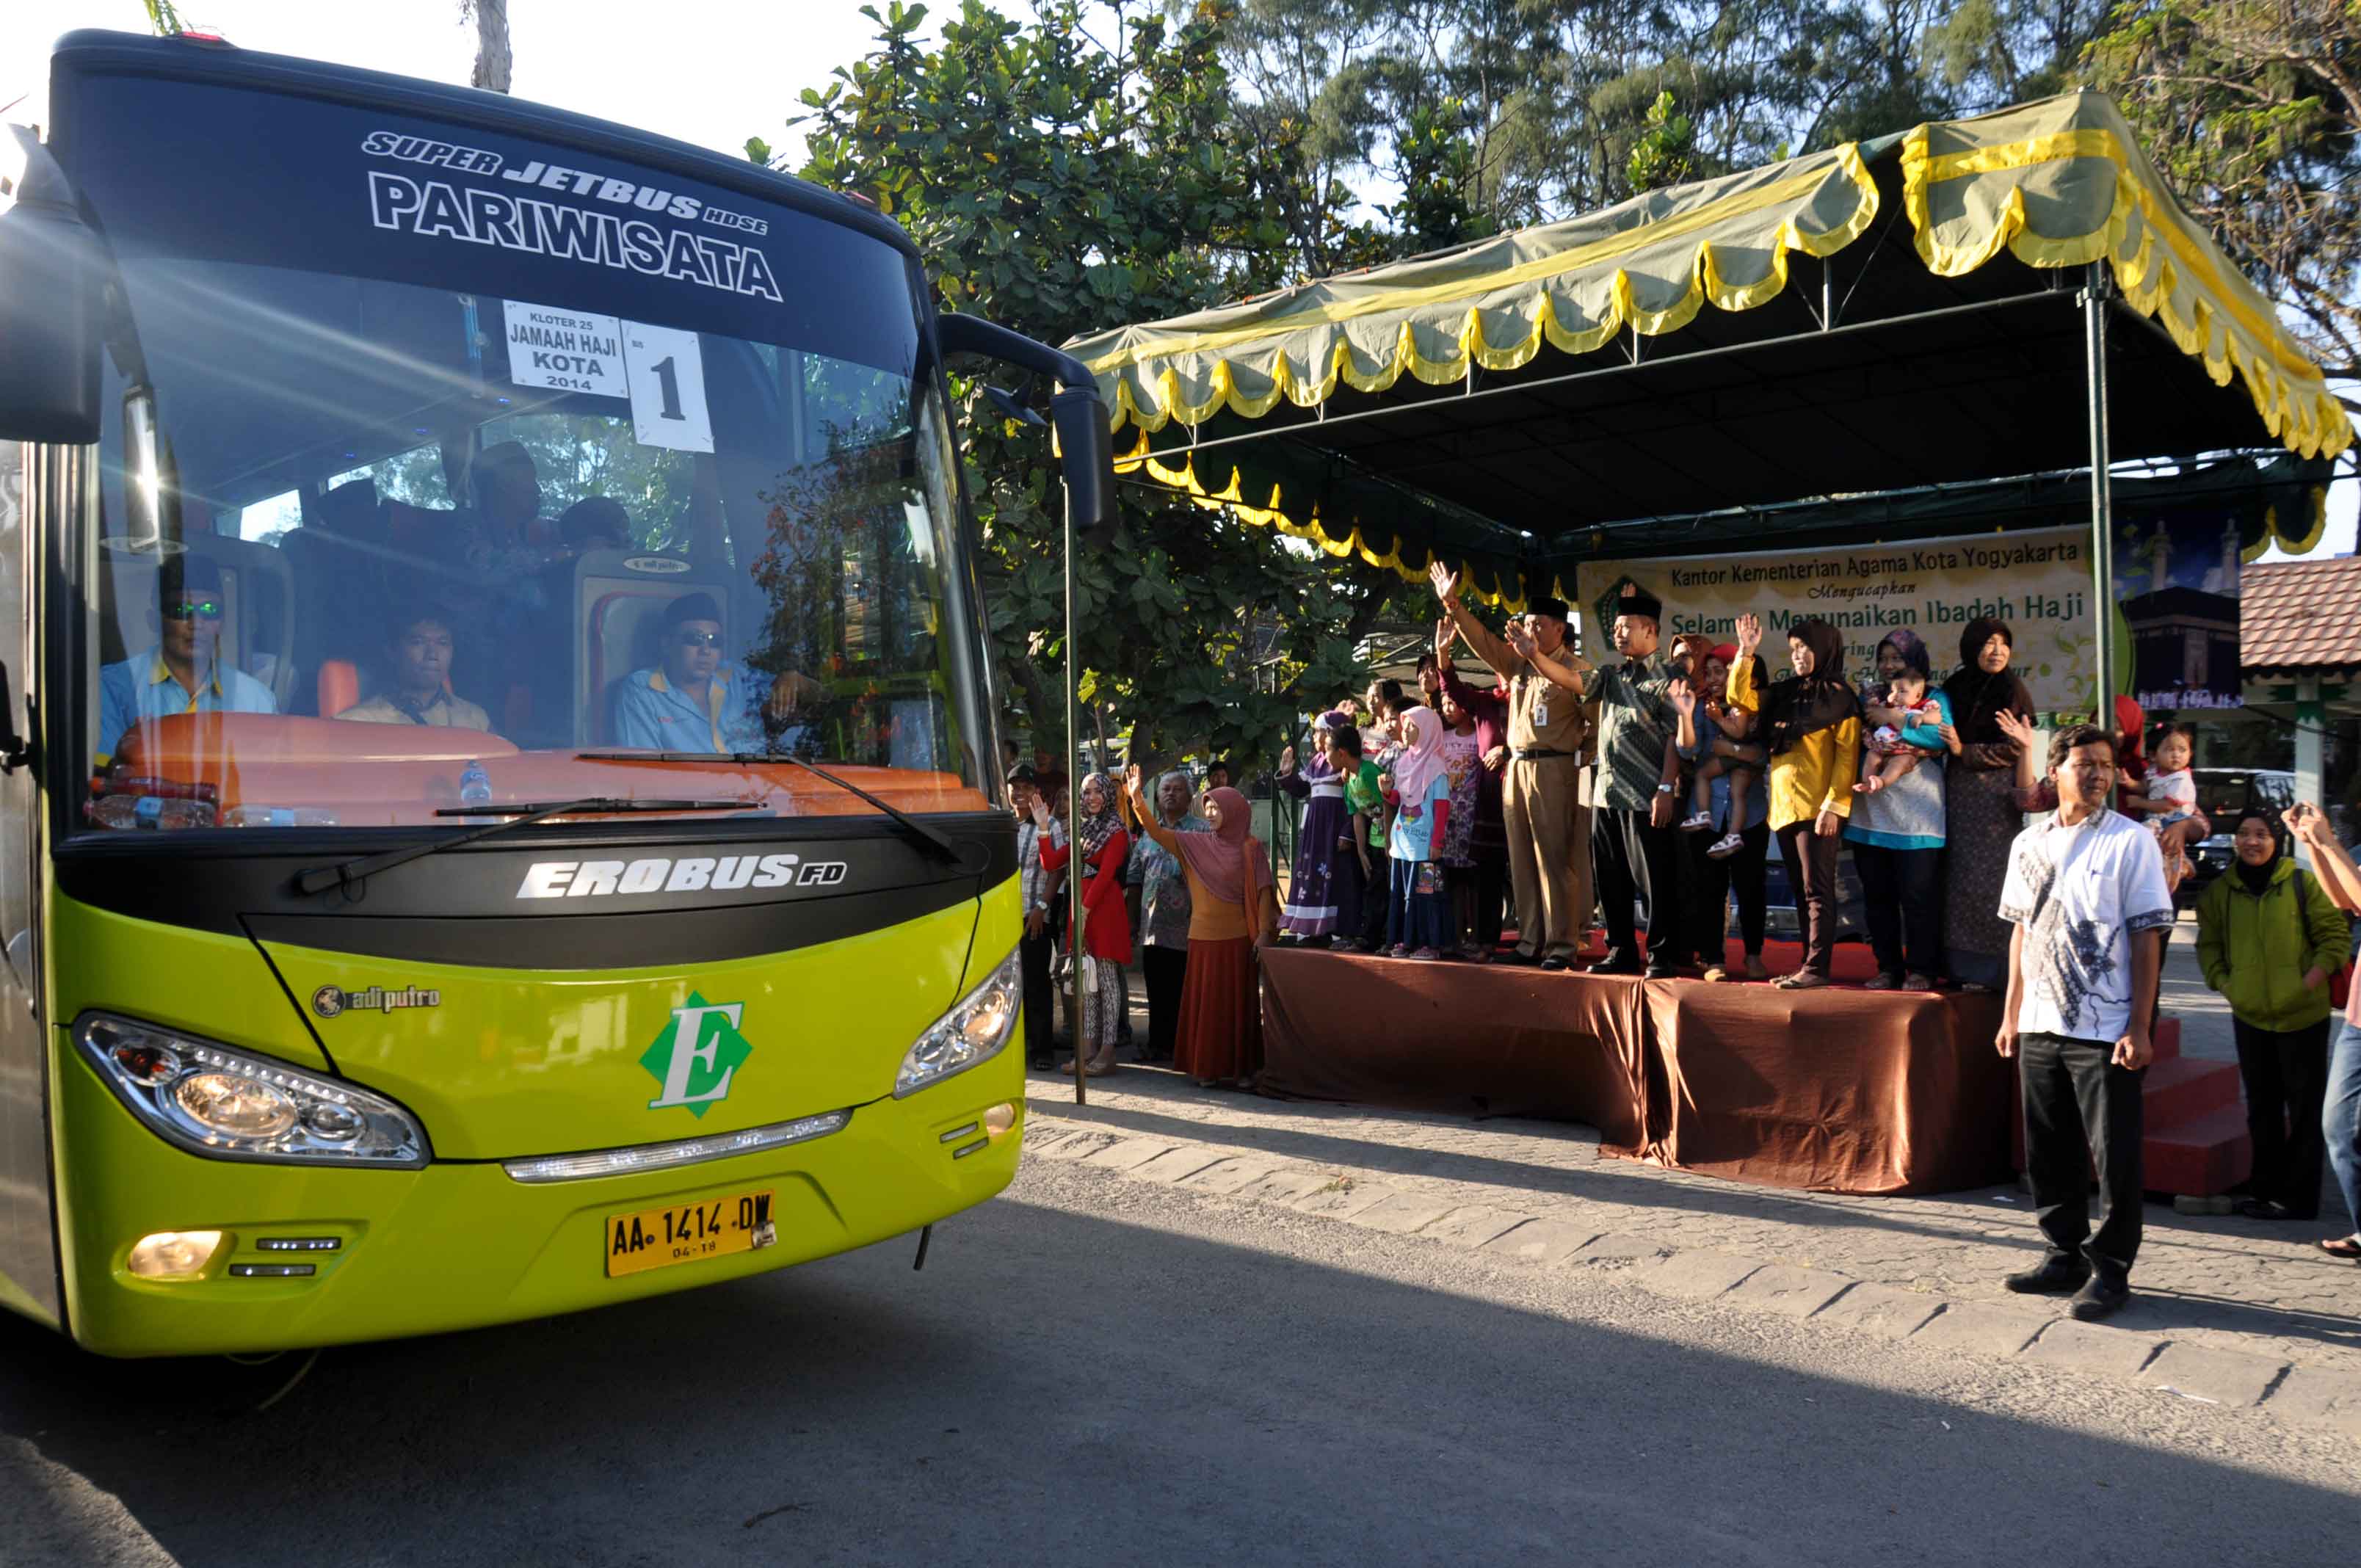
2270,939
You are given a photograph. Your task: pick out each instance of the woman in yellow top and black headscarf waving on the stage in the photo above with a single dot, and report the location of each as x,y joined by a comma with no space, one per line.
1812,726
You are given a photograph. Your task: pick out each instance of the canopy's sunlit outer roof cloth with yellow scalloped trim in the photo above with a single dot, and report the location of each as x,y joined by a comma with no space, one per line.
2058,183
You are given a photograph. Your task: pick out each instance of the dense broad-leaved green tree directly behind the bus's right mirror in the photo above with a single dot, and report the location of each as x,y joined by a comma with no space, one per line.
1061,183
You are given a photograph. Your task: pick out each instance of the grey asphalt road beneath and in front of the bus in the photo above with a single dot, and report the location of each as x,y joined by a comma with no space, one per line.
1099,1371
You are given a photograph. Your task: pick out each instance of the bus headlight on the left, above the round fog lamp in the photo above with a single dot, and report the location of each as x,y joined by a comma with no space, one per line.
242,1106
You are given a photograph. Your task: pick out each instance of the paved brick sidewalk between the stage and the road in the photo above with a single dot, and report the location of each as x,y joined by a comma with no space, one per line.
2225,1309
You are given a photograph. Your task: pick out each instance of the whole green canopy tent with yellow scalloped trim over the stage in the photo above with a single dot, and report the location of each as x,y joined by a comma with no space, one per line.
1838,325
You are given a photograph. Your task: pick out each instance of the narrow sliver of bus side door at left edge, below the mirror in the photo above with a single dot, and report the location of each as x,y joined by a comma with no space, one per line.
27,1239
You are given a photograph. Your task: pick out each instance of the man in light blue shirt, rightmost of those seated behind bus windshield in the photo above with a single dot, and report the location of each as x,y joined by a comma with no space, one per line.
695,703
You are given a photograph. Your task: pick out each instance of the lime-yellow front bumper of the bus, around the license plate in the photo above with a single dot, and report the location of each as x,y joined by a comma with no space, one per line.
464,1243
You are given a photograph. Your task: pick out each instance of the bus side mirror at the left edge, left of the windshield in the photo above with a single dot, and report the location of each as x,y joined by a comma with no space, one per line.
51,282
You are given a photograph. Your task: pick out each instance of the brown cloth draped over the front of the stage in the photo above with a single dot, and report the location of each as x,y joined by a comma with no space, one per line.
1836,1090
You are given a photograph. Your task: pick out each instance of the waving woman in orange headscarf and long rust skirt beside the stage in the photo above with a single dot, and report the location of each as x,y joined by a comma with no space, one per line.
1231,915
